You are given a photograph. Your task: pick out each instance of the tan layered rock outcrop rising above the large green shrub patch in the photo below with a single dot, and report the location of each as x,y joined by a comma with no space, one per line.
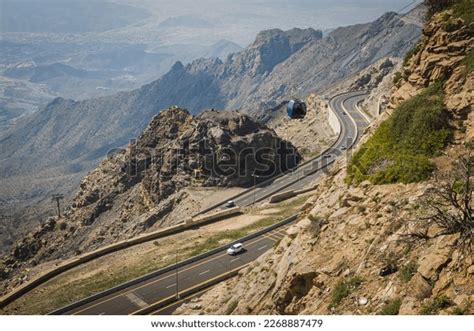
445,43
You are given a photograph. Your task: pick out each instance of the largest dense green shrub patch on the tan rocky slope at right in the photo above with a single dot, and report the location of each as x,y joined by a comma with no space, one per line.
401,148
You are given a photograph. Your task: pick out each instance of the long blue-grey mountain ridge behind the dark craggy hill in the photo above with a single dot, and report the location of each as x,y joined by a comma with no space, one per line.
52,149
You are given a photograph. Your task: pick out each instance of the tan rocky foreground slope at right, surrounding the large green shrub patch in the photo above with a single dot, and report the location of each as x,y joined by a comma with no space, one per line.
377,264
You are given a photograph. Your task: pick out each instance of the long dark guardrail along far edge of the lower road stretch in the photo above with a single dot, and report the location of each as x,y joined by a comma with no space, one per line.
169,268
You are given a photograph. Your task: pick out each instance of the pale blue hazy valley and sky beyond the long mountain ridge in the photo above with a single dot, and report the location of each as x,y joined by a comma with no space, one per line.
81,49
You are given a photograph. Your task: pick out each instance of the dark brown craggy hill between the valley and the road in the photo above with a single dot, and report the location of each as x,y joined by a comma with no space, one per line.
135,189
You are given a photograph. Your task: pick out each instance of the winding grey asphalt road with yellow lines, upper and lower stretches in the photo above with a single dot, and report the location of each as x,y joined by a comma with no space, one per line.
170,289
